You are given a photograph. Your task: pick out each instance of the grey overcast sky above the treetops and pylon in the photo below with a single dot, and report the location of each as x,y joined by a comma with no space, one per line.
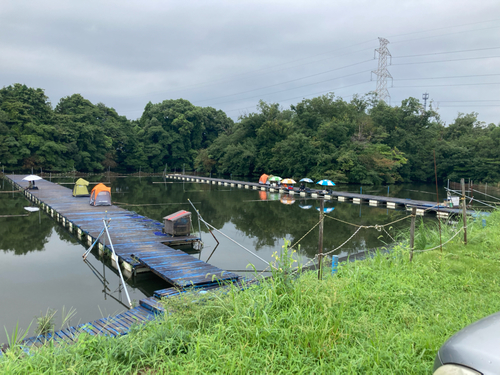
230,54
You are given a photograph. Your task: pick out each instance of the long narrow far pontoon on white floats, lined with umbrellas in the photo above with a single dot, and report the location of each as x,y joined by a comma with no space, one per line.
372,200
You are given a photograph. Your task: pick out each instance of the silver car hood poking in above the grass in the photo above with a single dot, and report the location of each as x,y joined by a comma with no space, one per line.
476,346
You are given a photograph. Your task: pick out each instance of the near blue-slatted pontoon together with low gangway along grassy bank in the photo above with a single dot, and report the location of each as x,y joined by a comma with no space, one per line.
139,245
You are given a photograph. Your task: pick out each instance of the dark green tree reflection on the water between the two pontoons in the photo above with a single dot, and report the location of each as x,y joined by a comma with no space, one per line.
267,222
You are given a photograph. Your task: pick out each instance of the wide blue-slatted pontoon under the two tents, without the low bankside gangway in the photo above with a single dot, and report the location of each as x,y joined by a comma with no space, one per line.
137,240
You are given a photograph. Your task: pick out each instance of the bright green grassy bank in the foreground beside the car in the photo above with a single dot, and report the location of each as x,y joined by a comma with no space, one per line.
379,316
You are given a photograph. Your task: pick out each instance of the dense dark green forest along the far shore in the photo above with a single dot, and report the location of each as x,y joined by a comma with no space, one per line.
362,141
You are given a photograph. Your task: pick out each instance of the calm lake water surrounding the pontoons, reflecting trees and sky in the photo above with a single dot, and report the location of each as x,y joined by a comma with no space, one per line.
42,268
